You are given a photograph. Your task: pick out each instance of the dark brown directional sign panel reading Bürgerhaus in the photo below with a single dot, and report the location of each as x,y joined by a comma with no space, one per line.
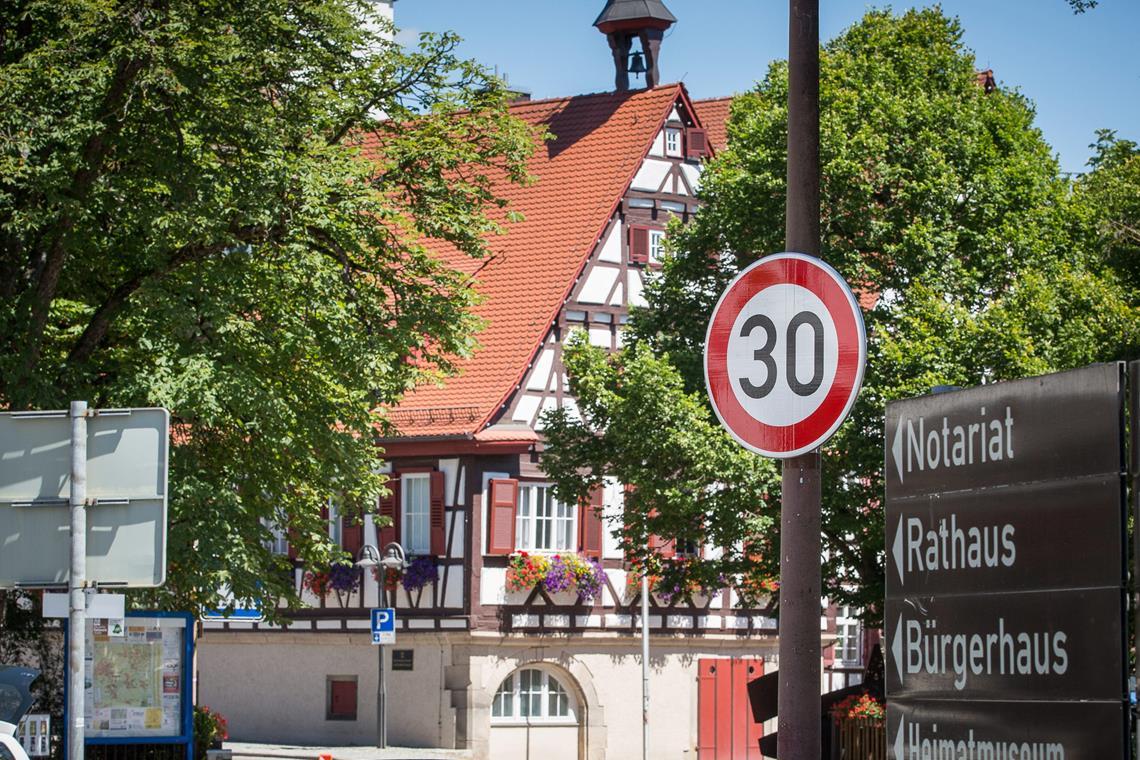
1037,645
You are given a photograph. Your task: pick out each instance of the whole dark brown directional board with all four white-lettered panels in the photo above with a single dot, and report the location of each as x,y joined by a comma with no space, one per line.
1006,566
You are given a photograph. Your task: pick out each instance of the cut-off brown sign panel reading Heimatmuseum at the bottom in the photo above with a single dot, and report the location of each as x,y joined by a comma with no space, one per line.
980,731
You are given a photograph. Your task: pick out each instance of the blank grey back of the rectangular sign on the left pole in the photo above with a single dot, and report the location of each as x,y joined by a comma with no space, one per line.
128,453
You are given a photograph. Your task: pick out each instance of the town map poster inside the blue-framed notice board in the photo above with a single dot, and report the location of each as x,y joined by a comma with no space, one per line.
134,682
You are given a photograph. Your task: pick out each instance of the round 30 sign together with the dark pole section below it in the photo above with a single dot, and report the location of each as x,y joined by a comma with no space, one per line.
784,364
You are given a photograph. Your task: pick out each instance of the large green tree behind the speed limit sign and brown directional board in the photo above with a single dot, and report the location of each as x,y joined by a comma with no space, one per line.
946,210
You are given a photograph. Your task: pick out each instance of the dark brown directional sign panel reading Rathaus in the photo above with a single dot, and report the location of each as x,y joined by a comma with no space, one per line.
1008,540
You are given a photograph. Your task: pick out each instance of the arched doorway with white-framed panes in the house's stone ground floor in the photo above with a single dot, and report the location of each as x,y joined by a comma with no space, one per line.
536,715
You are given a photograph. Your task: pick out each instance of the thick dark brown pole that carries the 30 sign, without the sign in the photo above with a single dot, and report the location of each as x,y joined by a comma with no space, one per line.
799,700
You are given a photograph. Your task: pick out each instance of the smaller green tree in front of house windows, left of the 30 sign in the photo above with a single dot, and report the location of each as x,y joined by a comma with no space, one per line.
662,443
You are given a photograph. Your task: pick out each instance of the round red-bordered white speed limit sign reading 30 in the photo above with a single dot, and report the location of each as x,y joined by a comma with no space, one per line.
785,355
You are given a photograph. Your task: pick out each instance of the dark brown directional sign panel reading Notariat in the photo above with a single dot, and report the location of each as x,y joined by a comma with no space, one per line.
1052,428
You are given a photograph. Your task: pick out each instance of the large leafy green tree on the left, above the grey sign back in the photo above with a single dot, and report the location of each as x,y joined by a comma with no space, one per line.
194,215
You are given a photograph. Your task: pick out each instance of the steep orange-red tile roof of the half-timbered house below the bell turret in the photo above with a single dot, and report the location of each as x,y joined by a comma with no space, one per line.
599,144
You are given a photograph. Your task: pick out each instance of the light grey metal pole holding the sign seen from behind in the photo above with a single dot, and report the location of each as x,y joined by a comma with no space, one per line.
78,579
